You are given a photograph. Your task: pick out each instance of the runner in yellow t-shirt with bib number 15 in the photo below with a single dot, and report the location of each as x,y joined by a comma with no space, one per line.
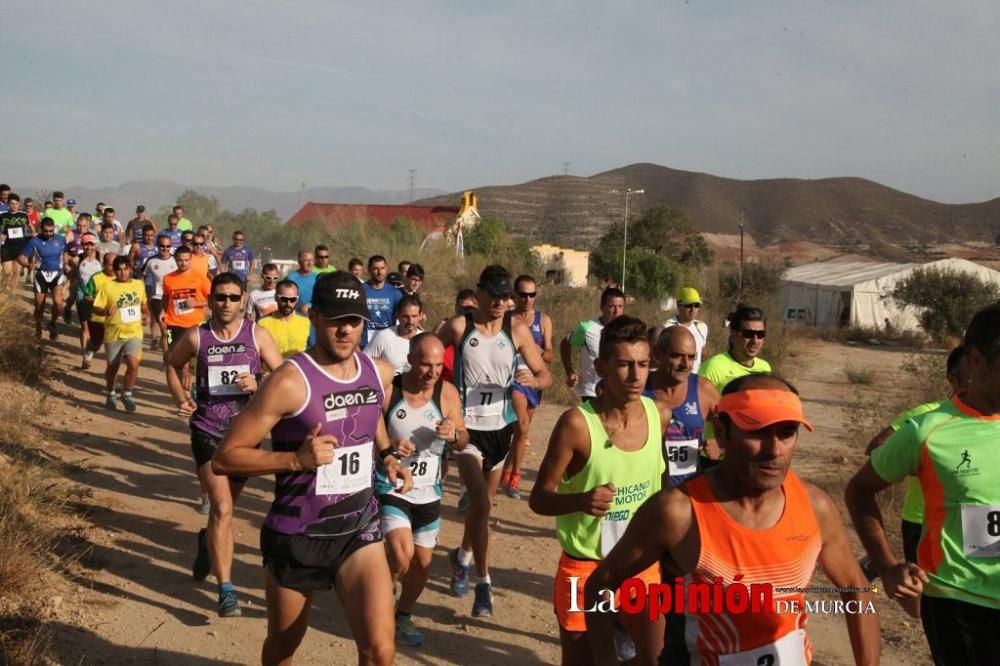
122,303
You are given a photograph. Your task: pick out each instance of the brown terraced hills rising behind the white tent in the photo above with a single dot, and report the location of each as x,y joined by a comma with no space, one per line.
576,211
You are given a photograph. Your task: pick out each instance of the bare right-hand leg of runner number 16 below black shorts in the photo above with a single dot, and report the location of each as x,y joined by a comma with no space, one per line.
365,590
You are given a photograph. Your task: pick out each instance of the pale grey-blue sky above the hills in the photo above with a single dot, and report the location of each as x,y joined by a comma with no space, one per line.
277,93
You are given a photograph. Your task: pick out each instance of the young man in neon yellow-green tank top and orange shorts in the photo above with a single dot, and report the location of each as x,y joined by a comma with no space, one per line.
603,462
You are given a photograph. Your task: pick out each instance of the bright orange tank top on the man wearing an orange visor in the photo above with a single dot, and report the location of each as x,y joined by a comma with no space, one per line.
783,555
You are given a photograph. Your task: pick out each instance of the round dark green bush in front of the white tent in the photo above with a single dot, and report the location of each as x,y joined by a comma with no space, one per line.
945,298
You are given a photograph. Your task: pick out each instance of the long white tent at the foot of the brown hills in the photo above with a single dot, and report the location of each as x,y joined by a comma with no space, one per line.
854,294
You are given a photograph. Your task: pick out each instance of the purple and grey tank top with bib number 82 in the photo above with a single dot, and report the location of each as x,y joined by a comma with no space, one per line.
220,362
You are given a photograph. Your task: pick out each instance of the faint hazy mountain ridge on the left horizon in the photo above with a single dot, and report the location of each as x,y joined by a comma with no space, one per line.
156,193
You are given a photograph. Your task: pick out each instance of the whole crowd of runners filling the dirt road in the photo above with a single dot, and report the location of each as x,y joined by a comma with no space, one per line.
673,472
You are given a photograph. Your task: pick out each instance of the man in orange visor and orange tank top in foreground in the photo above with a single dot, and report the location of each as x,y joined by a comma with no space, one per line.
750,520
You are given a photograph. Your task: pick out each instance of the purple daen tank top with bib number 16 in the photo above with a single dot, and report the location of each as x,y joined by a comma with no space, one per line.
338,498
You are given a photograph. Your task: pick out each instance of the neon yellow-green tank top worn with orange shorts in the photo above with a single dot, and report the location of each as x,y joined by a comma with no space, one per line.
636,475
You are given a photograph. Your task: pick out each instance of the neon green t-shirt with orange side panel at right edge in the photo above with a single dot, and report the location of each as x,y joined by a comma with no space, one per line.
953,452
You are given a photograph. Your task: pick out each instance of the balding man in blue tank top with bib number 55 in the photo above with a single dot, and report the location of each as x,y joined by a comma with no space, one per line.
686,402
